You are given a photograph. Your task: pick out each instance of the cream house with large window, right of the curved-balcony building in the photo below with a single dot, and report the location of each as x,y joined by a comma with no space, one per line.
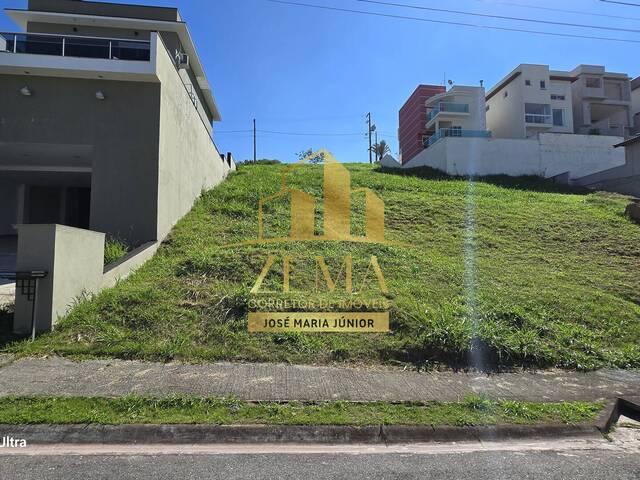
530,100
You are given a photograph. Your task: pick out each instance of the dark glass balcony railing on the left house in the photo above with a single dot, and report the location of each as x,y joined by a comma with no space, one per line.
74,46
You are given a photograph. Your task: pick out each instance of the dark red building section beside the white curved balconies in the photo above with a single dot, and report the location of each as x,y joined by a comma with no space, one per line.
413,119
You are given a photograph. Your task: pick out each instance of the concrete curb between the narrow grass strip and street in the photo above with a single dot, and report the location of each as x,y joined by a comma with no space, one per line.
307,434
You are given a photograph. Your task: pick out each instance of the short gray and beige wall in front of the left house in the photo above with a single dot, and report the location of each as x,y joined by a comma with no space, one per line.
73,259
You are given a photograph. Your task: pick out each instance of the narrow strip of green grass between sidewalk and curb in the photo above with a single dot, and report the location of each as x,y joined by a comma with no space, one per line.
194,410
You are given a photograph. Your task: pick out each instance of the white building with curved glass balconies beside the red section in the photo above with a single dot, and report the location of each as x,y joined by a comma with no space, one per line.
458,112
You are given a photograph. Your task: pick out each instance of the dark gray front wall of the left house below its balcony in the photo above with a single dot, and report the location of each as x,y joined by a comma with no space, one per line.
123,130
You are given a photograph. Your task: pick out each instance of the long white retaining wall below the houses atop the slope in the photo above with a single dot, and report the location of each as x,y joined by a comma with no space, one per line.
546,156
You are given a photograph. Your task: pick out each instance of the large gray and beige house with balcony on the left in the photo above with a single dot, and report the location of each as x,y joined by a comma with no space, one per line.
105,119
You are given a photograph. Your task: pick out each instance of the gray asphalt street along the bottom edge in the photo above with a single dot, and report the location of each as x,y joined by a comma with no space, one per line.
589,458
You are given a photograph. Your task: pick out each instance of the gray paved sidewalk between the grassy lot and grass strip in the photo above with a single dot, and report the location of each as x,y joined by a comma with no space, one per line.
108,378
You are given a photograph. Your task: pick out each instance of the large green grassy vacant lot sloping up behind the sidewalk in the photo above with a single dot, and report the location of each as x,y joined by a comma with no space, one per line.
554,279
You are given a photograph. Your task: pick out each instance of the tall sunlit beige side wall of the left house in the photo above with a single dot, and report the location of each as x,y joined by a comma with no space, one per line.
189,160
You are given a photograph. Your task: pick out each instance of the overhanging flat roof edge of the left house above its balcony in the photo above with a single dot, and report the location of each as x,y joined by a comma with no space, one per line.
22,17
